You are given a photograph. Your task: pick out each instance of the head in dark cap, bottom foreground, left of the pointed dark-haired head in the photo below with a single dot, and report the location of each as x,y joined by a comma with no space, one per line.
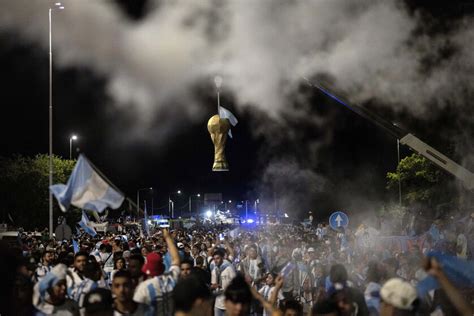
192,297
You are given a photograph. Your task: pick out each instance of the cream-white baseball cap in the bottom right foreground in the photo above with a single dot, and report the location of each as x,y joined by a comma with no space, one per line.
398,293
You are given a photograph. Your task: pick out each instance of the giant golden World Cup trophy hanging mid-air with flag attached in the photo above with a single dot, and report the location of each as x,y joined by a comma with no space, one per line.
219,126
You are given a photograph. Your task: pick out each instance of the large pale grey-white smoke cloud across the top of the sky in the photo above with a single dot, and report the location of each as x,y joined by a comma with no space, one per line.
262,48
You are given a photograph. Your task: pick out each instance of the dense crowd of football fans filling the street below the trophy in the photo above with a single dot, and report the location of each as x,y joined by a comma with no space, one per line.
222,270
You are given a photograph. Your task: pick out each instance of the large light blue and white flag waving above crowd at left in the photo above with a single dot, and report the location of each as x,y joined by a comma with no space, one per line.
86,189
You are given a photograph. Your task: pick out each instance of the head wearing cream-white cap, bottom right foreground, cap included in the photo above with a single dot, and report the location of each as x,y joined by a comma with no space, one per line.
398,297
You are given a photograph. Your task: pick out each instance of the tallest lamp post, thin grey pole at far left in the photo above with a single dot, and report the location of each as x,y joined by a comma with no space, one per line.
59,6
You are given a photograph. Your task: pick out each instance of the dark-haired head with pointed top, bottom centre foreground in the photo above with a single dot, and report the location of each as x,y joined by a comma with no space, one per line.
237,297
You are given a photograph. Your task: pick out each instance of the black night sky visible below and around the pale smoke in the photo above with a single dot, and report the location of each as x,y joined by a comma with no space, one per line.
352,158
